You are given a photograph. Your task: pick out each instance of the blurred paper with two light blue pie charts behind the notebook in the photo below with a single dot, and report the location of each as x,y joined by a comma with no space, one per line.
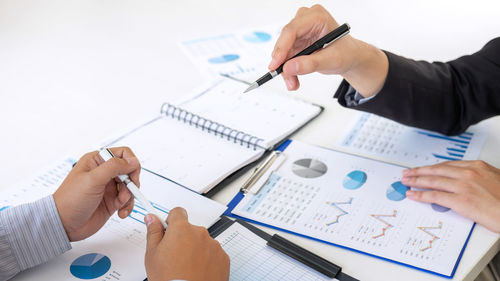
244,54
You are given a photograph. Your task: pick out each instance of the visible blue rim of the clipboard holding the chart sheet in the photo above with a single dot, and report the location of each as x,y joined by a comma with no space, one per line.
241,194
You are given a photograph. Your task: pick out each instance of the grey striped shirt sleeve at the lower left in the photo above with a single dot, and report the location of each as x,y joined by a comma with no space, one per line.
30,234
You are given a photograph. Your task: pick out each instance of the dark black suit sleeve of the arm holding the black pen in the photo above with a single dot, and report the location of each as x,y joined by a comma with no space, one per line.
444,97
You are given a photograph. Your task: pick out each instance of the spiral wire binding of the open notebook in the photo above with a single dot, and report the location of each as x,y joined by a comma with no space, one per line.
217,129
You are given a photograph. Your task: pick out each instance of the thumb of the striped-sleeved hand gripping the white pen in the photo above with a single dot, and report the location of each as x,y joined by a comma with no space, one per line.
113,168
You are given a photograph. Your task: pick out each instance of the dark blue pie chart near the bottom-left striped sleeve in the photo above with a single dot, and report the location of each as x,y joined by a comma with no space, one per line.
90,266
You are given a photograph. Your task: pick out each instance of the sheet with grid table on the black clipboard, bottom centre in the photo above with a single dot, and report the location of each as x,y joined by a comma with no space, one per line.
252,259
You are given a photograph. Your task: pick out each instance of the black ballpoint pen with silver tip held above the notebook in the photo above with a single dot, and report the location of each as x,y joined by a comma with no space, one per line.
323,42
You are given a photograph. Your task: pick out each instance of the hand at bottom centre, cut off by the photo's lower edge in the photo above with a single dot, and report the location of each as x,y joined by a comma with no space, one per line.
183,251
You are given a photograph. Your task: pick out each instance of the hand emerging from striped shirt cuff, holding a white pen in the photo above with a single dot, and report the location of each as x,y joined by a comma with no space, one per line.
90,194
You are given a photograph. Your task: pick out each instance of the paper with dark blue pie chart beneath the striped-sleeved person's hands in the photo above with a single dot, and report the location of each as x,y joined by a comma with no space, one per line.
116,251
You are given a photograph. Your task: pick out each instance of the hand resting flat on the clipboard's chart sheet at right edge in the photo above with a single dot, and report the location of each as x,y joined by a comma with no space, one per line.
470,188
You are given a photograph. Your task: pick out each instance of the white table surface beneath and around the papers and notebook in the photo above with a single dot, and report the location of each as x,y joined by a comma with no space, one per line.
73,72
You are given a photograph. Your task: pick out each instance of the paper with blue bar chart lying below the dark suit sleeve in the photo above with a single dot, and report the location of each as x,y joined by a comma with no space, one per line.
380,138
